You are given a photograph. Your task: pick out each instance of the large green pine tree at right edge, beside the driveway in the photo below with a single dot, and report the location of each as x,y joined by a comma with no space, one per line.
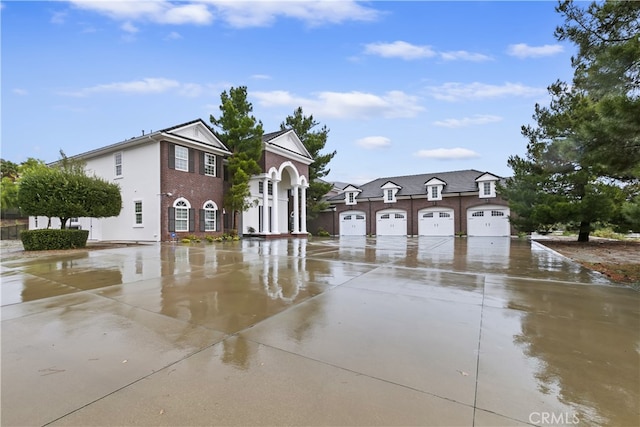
583,155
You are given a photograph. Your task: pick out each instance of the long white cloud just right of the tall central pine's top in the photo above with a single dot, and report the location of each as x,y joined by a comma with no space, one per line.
393,104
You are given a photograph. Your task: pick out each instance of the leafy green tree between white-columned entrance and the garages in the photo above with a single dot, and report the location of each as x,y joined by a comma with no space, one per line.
314,141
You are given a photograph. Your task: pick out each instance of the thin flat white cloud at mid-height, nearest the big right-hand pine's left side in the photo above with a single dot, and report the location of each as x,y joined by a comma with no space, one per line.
455,91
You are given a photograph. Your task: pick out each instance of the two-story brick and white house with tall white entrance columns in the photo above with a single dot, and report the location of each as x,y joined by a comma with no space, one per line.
172,184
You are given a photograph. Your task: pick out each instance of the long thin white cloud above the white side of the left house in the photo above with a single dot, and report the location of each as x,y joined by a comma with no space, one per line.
144,87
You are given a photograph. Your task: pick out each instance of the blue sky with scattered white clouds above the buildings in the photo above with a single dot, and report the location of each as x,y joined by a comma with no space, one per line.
405,87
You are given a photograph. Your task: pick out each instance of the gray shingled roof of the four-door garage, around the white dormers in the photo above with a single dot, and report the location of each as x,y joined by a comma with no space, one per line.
456,182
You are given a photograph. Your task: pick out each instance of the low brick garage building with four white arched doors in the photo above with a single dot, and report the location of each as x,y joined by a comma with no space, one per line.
434,204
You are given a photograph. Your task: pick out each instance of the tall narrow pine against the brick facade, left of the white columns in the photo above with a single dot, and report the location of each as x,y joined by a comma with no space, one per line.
242,134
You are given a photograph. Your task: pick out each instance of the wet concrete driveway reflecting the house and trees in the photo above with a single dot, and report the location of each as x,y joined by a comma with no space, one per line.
356,331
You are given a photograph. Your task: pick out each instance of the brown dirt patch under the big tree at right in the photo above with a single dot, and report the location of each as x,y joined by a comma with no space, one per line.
618,260
